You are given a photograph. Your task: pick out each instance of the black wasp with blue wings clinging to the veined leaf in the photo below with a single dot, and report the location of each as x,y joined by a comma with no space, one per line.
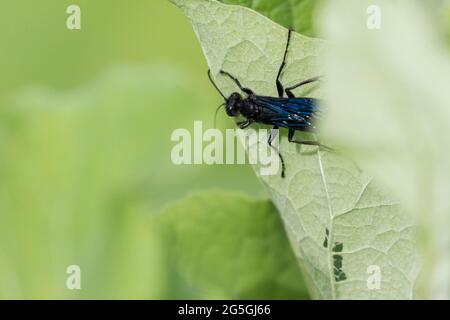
295,114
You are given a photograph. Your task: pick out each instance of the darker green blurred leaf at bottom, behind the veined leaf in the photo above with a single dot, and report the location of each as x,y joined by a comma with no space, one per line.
229,246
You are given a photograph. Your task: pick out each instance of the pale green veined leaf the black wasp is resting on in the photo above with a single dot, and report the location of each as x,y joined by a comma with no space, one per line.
325,200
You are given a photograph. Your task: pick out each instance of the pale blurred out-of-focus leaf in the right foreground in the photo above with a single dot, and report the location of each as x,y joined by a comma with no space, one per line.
396,122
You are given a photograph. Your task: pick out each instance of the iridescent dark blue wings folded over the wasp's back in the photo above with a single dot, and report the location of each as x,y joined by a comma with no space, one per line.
295,113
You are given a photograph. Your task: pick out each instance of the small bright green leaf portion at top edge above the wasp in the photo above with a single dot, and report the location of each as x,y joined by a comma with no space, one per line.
294,14
